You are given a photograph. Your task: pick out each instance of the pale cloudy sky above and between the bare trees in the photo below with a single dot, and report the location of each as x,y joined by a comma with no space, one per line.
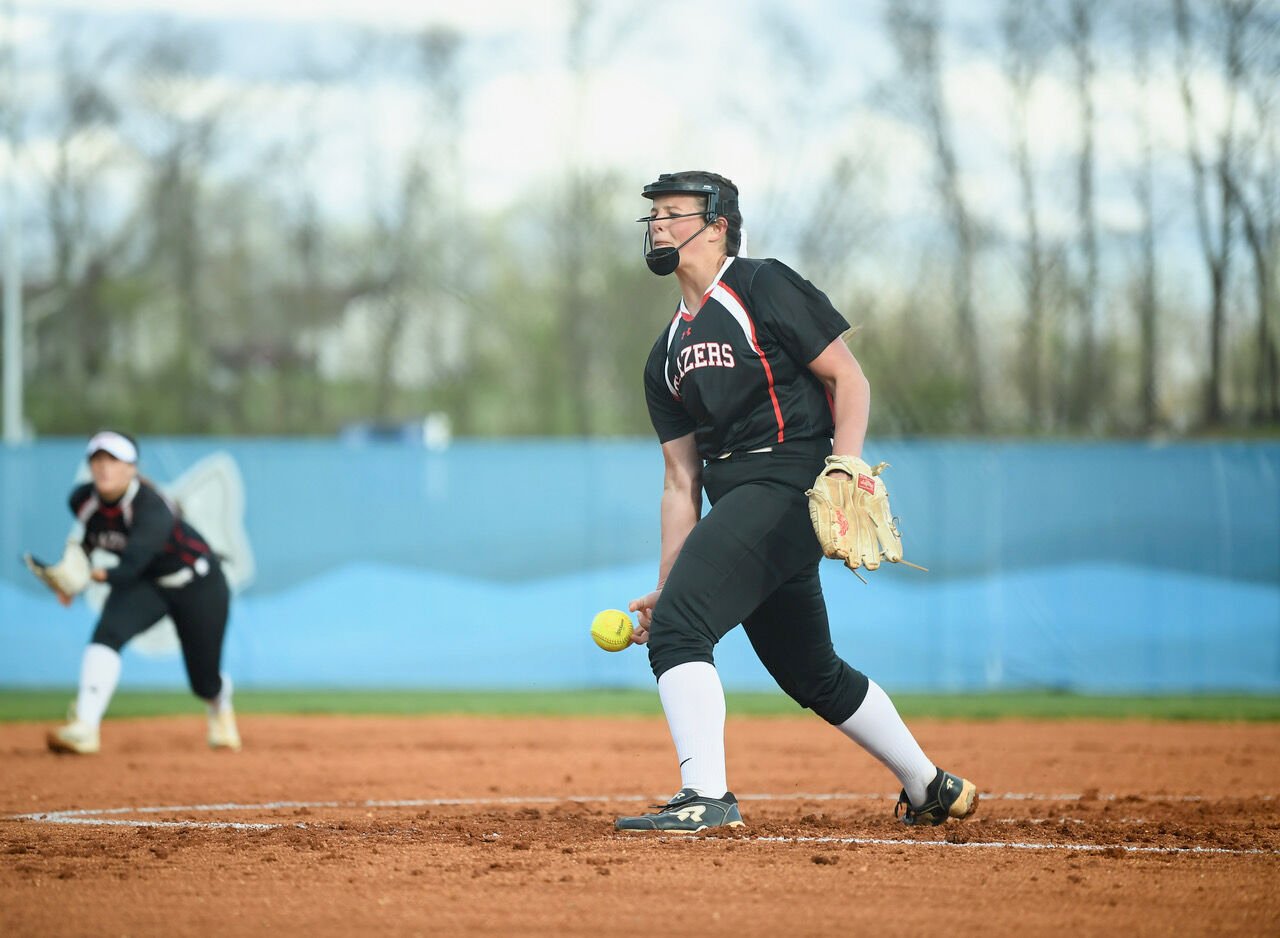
671,85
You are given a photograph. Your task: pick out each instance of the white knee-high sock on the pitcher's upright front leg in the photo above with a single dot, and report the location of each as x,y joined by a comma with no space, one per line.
694,703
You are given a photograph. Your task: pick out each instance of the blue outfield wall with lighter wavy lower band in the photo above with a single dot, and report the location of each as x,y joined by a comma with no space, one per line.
1086,568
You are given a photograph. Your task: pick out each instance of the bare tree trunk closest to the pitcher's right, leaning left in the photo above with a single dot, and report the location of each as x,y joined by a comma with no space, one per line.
913,26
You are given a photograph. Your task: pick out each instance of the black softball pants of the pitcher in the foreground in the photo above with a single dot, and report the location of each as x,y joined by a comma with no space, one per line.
753,560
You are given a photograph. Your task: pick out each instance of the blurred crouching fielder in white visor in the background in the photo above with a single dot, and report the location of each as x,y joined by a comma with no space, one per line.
166,569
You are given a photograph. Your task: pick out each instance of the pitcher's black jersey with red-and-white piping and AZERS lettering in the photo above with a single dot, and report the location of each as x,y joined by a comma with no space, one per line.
735,374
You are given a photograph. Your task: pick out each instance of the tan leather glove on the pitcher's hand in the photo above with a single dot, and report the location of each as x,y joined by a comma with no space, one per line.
852,516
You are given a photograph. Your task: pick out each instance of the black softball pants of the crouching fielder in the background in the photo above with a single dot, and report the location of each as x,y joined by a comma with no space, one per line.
199,611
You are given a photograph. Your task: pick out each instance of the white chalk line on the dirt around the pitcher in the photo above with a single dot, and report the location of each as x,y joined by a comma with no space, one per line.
98,817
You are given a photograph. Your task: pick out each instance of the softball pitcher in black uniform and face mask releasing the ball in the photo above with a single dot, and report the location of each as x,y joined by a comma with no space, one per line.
758,401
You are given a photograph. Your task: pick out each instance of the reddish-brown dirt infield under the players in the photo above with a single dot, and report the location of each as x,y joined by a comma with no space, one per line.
483,826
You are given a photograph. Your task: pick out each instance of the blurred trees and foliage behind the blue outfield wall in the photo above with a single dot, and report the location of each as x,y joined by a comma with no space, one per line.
184,276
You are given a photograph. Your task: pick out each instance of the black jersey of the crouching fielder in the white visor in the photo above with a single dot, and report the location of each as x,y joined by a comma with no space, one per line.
144,529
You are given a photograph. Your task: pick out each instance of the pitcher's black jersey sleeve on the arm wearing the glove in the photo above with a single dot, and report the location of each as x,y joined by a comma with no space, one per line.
796,312
